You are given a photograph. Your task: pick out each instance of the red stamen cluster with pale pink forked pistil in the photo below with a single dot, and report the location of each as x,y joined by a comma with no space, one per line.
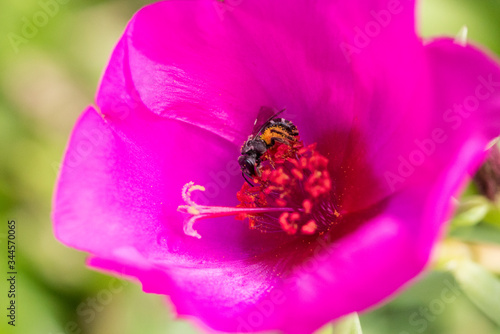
291,194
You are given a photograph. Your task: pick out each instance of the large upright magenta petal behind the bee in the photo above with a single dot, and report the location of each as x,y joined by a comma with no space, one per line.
215,64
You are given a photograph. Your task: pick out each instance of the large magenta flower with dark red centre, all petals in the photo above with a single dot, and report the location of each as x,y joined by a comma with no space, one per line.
400,122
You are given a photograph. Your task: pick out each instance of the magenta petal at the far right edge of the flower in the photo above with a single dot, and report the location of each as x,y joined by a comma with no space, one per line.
463,88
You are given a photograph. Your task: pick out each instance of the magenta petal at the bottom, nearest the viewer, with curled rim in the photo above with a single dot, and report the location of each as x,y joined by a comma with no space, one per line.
347,276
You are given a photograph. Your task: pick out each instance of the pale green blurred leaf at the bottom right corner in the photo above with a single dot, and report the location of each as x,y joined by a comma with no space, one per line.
480,286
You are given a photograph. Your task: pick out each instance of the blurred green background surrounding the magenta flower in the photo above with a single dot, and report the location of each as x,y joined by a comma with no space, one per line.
52,76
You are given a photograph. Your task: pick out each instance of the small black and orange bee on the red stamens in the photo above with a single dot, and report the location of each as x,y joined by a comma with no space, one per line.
263,137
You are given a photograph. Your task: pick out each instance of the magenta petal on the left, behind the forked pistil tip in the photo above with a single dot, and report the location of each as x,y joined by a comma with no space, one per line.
120,187
